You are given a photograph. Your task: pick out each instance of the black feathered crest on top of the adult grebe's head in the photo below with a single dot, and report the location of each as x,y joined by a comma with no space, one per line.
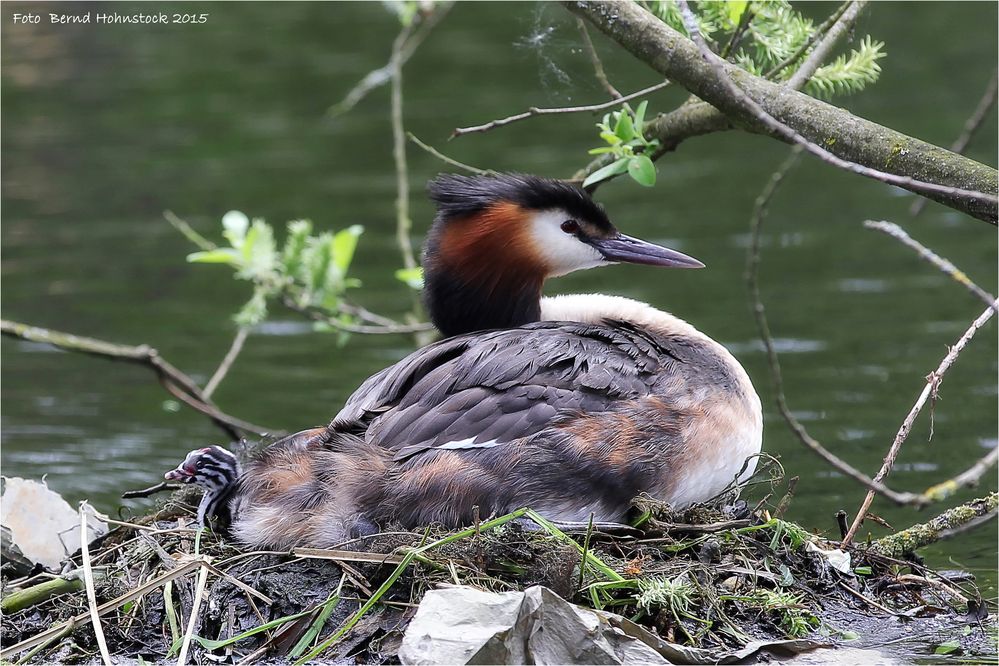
458,195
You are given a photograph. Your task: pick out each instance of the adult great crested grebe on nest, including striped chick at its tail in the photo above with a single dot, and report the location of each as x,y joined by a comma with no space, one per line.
571,405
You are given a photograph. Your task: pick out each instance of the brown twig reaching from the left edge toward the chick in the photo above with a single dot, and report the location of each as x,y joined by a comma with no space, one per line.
172,379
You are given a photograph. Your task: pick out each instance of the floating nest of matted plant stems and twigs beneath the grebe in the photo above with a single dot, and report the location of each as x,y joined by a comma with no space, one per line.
706,577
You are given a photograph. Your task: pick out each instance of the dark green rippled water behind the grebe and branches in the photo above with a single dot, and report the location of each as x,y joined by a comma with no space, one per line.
105,127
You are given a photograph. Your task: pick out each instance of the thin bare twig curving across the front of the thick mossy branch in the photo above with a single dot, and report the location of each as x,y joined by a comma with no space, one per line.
791,135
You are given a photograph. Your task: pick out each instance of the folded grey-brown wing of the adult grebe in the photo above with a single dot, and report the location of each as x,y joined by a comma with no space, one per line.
492,388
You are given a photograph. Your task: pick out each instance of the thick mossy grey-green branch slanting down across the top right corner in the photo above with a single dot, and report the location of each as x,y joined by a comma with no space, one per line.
844,135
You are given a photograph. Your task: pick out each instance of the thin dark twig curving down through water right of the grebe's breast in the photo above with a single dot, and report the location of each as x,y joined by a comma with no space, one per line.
760,210
